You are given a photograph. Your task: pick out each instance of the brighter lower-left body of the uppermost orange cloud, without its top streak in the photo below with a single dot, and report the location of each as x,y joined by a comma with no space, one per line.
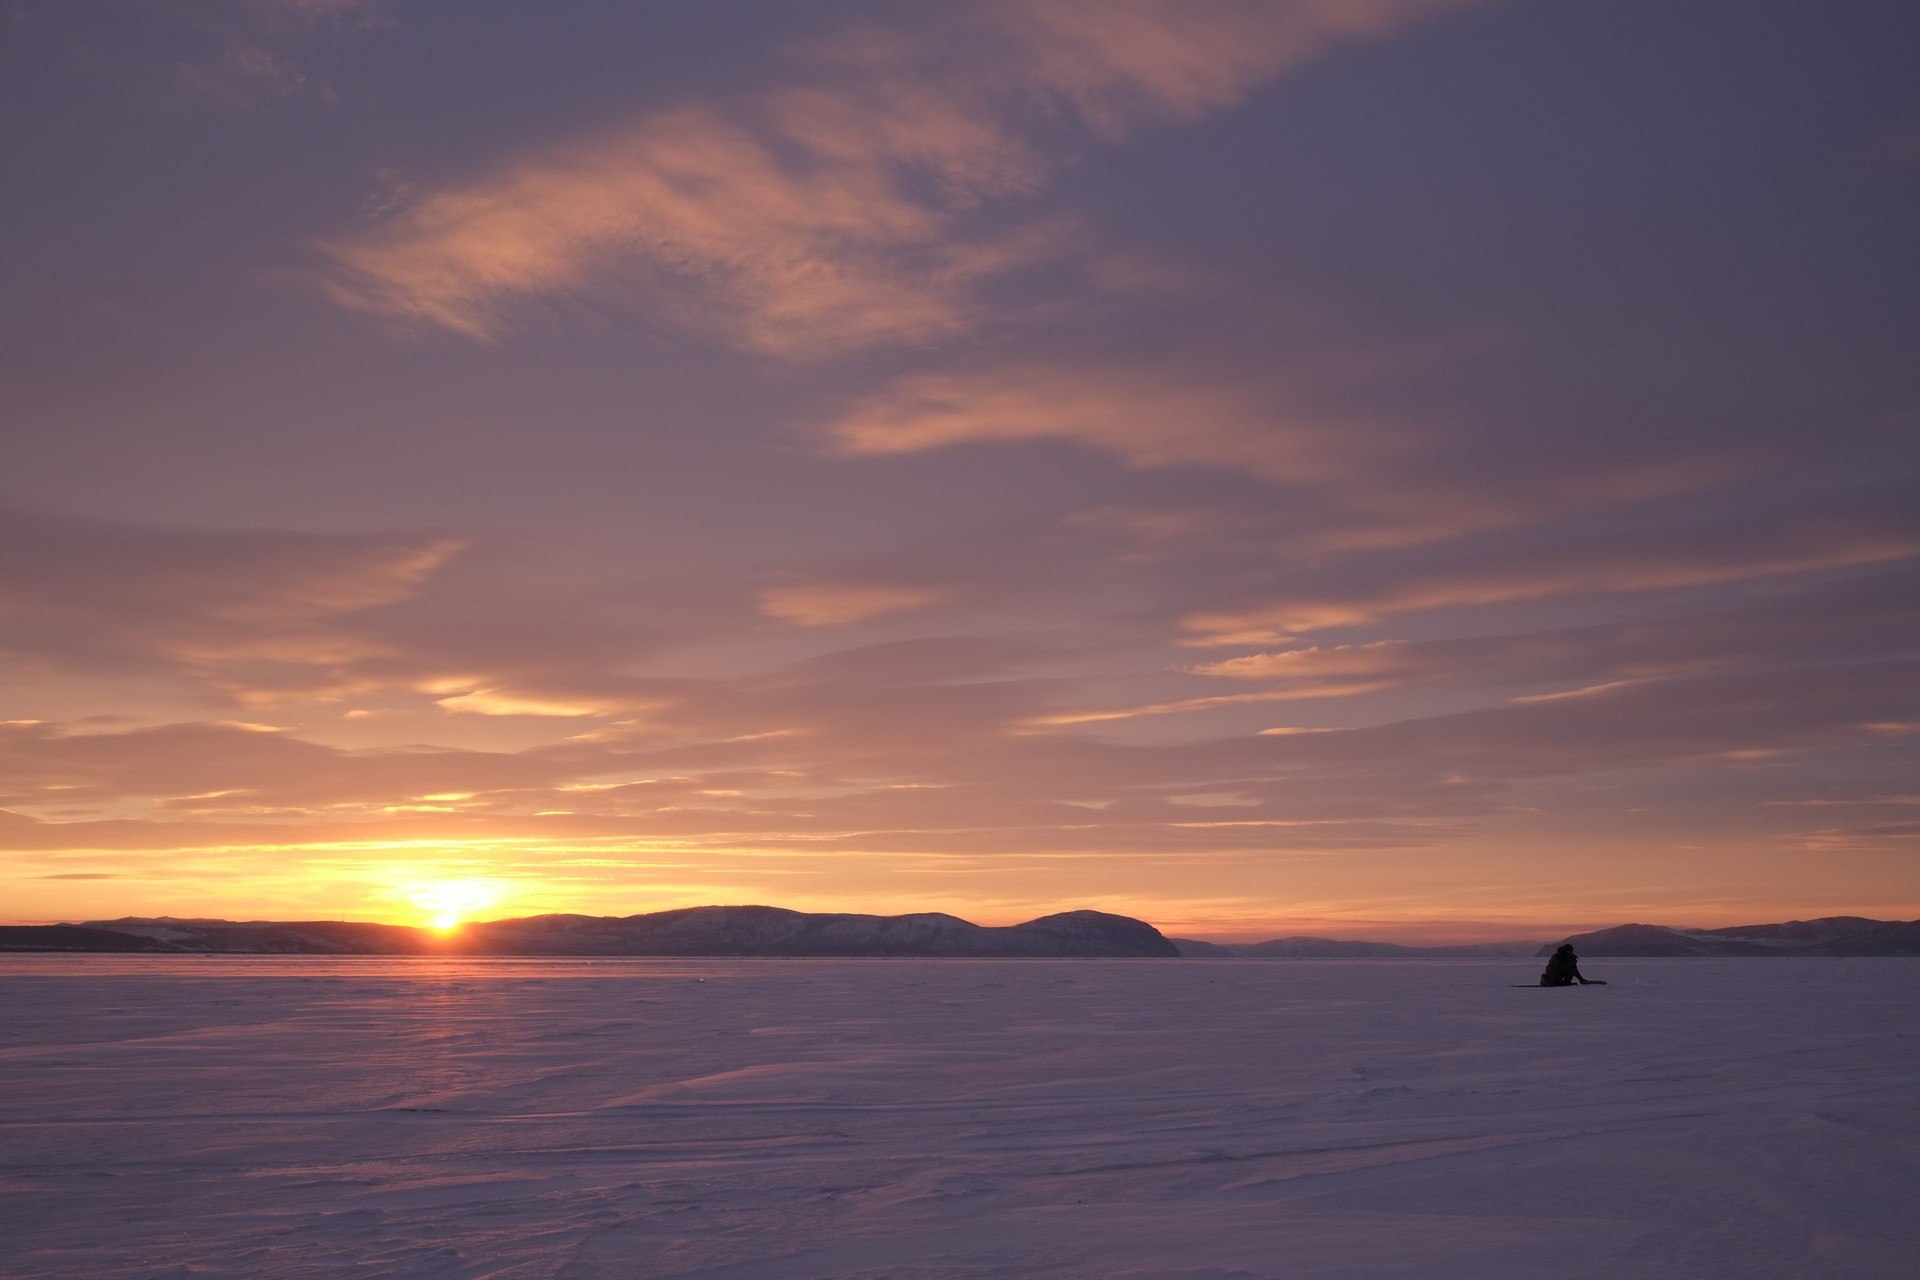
696,210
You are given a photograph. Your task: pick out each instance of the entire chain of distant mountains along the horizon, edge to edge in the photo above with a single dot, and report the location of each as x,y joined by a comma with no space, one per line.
777,932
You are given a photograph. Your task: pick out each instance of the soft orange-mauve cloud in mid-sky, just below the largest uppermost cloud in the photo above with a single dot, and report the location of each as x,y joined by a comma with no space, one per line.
1322,419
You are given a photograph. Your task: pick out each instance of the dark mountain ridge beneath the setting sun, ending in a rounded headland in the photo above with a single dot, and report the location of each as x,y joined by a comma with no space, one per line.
690,932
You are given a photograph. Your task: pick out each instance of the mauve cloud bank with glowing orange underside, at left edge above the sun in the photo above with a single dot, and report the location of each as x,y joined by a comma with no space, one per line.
276,619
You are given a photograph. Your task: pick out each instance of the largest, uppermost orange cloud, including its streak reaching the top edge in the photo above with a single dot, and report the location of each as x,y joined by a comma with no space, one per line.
832,212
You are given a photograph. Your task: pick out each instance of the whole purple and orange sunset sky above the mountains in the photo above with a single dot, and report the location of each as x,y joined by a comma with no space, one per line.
1412,469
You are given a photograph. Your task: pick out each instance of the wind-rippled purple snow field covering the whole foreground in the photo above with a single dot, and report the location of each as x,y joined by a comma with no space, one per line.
955,1118
